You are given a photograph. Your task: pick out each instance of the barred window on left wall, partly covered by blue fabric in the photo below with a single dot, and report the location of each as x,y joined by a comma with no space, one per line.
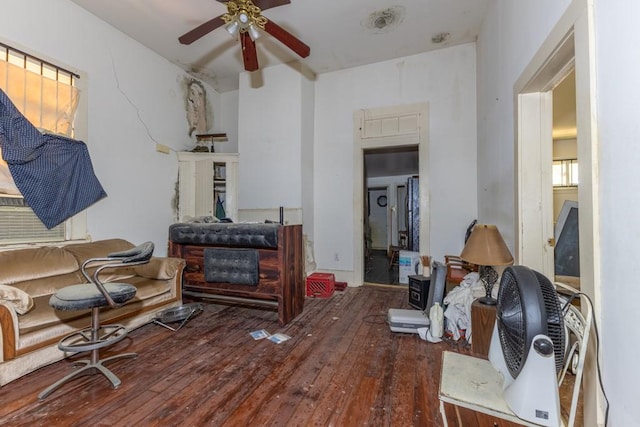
48,97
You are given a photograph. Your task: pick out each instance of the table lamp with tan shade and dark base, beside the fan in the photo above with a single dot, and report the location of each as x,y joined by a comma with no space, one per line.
487,249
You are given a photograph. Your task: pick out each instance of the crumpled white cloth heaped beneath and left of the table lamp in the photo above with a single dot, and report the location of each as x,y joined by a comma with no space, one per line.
458,302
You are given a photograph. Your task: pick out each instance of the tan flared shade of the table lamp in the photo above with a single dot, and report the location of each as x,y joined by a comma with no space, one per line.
486,247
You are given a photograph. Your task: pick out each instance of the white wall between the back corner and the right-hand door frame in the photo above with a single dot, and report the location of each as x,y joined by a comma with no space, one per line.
511,34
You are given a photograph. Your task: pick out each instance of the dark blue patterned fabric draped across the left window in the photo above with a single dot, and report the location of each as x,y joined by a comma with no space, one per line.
53,173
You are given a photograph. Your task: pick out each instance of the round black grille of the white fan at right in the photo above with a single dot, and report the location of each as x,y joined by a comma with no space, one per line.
528,305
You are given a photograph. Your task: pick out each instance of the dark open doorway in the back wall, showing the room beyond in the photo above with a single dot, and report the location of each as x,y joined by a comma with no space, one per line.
386,172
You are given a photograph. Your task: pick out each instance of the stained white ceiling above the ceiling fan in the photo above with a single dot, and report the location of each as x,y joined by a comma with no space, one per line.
340,33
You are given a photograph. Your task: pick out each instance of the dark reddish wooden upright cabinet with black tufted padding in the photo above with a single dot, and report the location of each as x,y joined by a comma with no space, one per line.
255,264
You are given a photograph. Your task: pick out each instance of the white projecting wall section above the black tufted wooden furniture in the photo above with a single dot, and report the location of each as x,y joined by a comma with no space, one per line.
270,138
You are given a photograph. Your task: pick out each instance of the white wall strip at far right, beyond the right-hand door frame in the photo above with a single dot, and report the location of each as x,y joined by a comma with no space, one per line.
618,106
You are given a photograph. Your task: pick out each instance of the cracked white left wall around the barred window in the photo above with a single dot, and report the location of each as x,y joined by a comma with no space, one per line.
135,99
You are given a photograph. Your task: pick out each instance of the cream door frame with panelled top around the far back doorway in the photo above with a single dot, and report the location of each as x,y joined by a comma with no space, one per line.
361,142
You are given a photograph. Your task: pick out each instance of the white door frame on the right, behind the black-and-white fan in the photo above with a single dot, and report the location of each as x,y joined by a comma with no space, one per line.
570,45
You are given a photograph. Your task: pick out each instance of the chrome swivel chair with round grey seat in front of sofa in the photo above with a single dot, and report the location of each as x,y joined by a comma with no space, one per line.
95,295
